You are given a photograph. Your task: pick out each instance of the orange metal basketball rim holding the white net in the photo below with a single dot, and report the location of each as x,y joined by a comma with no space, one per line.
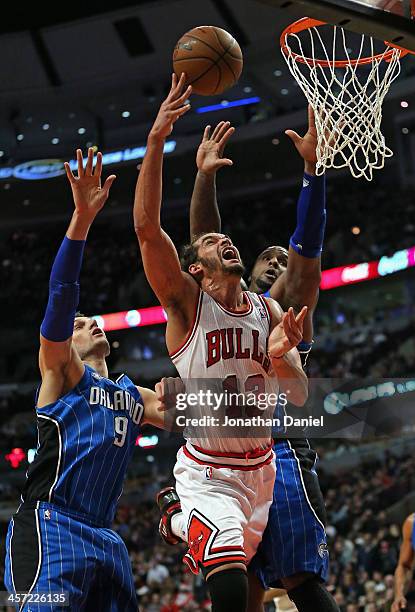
306,23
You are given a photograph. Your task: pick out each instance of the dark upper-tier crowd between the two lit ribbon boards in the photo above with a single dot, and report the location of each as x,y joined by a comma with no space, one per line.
113,279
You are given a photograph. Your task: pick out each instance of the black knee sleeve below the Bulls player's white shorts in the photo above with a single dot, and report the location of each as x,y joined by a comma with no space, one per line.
228,587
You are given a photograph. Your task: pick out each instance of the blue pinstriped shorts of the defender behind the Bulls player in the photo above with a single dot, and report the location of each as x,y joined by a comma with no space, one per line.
294,540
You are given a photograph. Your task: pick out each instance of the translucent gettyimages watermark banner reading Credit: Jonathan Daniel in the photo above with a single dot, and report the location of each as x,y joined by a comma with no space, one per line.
352,409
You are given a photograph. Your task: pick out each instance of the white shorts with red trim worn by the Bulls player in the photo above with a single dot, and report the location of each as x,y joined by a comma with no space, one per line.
225,501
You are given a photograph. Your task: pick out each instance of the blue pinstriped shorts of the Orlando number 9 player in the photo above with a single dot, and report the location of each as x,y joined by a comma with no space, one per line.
49,549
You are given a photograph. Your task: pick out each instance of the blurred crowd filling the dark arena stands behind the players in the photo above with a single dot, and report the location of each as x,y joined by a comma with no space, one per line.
363,543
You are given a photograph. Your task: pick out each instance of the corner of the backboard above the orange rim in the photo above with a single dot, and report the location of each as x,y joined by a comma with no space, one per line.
391,20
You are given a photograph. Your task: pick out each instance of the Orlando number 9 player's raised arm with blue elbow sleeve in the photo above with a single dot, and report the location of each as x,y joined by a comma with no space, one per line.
60,365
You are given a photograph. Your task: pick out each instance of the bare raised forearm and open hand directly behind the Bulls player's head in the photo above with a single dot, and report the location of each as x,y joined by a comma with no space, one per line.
204,211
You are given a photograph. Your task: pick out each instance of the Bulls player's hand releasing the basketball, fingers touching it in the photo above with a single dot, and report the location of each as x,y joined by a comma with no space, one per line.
172,108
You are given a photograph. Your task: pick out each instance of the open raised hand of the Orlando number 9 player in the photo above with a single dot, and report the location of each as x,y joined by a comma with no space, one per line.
89,197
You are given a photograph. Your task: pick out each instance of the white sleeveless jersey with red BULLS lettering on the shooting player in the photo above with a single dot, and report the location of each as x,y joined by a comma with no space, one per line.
230,349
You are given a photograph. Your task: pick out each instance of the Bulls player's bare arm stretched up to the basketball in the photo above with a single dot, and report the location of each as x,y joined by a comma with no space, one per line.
176,290
